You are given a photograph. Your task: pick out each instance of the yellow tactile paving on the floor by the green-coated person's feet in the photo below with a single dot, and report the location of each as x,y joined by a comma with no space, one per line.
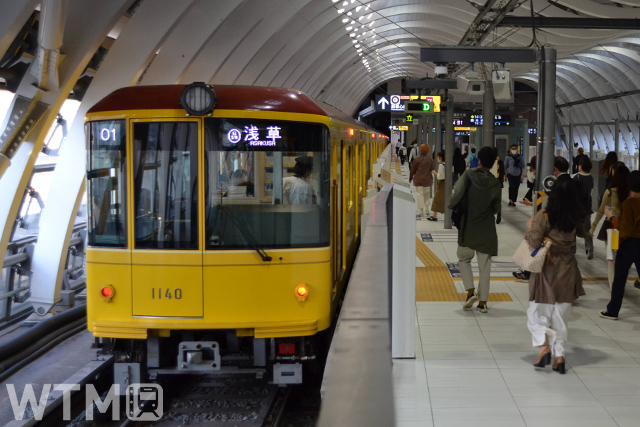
434,283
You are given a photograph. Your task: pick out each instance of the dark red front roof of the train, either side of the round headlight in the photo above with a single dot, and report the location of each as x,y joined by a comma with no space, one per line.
229,98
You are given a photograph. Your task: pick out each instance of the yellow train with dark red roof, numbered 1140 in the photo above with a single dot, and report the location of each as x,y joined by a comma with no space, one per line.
222,222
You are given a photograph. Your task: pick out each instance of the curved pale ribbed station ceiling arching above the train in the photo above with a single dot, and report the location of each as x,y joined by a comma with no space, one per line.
338,51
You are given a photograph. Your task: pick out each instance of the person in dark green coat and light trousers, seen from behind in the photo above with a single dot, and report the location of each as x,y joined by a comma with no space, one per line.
477,234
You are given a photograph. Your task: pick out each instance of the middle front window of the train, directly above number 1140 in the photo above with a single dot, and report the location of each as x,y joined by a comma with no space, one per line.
165,191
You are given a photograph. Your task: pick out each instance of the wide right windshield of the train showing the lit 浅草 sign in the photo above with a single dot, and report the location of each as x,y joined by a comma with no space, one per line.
267,184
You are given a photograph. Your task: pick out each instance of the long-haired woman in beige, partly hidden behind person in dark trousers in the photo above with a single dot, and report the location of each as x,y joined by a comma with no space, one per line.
614,195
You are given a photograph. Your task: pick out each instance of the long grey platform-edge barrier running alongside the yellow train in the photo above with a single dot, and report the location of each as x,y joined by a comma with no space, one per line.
357,386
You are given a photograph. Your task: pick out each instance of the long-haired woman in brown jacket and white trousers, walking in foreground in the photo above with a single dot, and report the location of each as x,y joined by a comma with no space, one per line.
552,291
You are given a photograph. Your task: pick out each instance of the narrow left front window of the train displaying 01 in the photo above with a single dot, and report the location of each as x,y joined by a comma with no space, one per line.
106,183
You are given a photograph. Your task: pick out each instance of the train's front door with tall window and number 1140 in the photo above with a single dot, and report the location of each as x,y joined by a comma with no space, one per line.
167,252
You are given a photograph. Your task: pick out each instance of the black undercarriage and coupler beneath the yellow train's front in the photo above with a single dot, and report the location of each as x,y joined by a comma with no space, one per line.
282,360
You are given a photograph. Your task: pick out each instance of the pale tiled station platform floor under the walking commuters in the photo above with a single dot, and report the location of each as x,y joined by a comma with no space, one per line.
474,368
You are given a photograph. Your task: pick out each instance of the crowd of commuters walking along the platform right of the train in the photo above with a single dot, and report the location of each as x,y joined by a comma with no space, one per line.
566,218
